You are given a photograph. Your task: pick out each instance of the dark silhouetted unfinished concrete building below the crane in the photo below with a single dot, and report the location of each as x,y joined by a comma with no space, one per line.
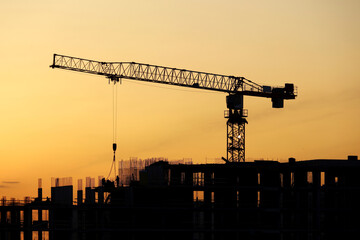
313,199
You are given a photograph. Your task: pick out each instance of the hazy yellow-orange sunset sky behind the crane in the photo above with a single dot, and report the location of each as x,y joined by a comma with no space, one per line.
57,123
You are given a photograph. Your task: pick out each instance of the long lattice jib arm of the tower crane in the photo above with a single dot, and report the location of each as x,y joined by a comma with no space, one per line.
160,74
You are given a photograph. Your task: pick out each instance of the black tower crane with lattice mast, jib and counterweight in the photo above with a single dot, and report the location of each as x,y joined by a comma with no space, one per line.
235,87
